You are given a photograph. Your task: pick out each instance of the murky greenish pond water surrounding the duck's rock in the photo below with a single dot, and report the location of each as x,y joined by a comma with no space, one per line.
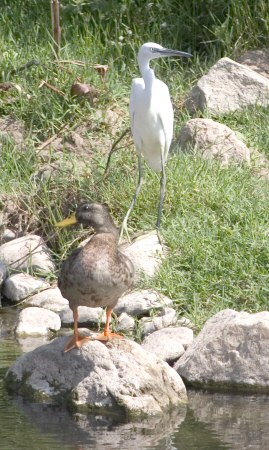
212,421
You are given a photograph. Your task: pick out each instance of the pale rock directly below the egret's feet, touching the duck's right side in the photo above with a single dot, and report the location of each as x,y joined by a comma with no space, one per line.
146,254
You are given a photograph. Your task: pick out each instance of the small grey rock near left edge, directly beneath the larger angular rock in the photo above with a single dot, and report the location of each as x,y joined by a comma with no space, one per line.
20,285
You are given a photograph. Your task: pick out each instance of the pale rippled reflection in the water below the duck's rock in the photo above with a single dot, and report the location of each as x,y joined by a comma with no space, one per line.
100,431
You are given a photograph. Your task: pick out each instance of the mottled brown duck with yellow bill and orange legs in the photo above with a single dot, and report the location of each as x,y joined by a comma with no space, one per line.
96,274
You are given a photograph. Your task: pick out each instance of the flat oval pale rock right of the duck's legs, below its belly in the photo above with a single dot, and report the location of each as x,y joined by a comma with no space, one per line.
139,303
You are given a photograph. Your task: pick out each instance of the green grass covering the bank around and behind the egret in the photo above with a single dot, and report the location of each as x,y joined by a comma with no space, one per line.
215,221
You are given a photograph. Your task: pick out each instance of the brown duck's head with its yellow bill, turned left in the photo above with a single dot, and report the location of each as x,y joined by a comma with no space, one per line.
91,214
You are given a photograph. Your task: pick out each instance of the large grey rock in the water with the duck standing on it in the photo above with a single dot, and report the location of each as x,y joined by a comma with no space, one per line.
118,375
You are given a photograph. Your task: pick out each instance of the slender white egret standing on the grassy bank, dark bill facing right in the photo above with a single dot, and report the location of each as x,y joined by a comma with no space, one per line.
152,117
